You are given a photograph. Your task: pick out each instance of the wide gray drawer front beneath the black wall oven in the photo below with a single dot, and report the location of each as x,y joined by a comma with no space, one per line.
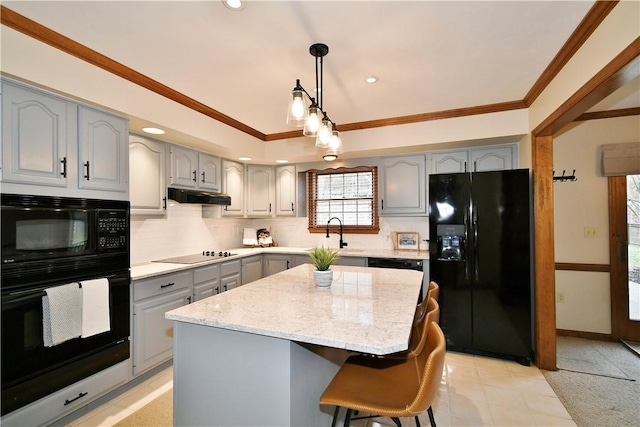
69,399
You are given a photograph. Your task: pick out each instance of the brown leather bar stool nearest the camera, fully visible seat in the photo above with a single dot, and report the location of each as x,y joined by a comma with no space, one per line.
389,387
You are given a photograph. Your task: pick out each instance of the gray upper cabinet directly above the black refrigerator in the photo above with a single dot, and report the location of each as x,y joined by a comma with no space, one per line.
500,157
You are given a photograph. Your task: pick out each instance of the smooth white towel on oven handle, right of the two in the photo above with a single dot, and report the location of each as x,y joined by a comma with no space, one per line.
95,307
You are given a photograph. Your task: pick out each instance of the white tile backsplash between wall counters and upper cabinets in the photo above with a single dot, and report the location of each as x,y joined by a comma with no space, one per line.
184,231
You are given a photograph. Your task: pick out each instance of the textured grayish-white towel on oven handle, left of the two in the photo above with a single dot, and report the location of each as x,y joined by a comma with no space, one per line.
61,314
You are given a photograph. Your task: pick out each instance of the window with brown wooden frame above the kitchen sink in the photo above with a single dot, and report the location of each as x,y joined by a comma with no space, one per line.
349,194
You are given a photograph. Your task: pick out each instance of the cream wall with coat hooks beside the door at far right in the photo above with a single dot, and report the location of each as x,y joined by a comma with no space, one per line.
579,204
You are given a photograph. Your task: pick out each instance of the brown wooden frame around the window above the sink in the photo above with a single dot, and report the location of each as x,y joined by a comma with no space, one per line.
335,226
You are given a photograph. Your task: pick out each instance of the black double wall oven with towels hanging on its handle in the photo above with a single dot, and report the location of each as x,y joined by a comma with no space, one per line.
48,243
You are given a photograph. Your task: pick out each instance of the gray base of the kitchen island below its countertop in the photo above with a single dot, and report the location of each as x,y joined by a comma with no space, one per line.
231,378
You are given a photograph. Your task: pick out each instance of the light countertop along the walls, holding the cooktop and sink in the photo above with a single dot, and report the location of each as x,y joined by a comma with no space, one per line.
151,269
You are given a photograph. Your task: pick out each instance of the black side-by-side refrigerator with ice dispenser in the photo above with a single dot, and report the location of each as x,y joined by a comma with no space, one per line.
480,256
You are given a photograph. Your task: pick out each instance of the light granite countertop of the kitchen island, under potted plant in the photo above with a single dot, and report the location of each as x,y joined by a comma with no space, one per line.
366,309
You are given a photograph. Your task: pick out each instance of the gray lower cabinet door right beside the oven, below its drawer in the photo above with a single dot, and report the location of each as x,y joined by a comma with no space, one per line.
153,334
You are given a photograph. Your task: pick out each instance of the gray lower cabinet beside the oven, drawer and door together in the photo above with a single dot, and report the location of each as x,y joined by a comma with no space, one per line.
152,333
